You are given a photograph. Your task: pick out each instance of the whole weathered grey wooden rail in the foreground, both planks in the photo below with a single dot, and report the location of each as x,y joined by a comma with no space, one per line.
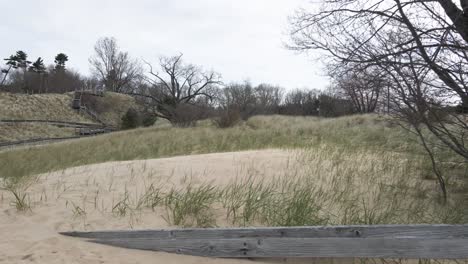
379,241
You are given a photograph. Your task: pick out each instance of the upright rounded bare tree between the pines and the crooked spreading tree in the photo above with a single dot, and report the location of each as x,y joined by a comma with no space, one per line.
115,69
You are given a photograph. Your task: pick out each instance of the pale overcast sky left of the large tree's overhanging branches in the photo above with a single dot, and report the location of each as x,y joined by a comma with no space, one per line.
242,40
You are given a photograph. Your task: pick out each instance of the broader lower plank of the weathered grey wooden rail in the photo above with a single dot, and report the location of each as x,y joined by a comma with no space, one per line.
412,248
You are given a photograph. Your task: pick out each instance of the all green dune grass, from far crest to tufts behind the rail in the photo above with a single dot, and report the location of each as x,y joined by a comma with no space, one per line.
351,170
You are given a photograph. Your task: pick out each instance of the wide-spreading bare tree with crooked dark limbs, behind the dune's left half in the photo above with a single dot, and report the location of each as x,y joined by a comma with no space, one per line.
173,93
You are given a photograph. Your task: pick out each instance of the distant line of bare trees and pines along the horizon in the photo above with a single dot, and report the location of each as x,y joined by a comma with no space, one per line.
183,92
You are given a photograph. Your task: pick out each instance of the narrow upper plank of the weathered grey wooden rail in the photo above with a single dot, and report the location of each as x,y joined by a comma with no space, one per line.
376,231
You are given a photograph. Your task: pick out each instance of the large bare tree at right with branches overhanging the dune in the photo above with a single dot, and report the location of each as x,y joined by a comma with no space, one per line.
421,45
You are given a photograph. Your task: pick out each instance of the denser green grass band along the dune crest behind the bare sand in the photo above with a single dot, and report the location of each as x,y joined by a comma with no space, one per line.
368,132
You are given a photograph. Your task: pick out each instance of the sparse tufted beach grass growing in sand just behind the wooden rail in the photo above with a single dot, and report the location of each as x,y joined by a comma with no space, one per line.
326,185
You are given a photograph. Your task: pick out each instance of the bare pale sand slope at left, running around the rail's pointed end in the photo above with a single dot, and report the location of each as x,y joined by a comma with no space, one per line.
81,199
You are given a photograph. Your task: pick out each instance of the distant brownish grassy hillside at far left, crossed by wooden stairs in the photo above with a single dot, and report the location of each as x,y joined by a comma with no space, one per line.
56,107
